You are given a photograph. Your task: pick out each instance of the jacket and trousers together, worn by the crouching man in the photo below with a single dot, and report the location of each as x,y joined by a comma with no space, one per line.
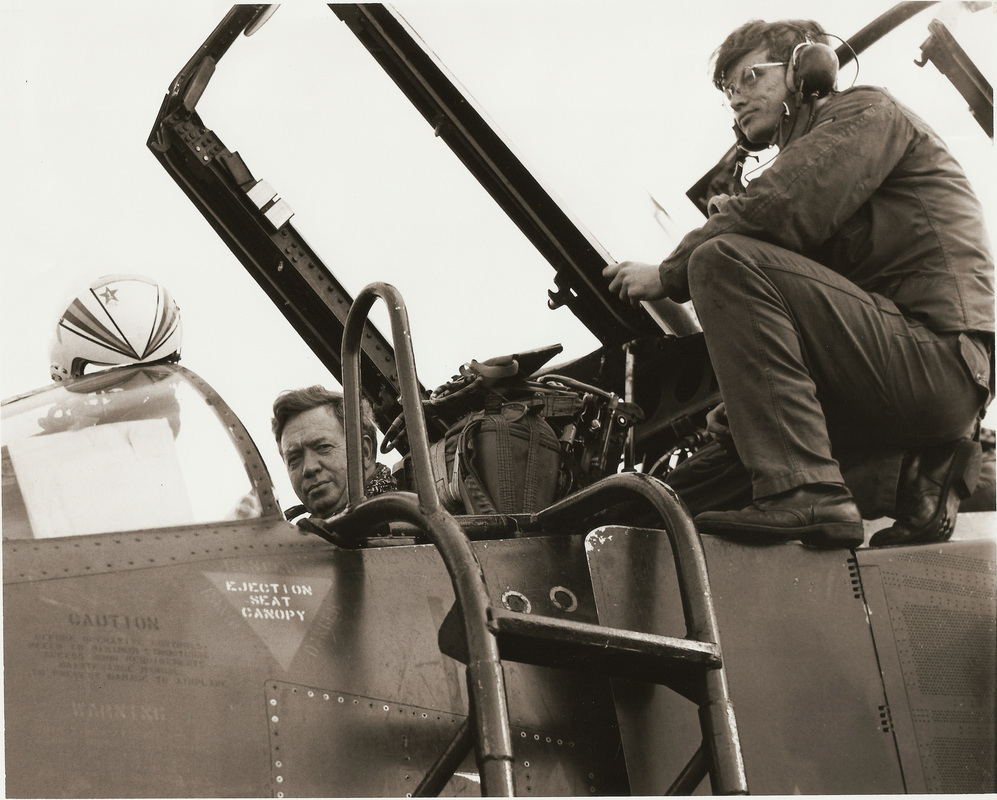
845,297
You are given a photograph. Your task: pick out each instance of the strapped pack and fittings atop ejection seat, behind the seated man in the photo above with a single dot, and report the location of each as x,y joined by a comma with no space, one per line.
516,440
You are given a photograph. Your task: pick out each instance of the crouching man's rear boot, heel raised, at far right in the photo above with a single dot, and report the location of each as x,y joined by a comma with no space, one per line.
932,483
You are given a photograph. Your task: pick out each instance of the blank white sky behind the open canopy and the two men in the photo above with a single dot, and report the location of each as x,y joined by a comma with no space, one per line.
608,101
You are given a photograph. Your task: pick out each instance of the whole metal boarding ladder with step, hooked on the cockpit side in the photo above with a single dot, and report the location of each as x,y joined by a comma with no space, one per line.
482,634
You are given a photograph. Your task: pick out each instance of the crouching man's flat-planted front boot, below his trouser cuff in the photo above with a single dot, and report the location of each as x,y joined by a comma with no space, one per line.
819,514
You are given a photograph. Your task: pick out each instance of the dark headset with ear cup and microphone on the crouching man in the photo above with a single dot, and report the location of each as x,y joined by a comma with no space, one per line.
810,75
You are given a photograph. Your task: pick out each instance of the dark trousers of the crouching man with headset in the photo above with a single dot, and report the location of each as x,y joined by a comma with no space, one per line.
804,358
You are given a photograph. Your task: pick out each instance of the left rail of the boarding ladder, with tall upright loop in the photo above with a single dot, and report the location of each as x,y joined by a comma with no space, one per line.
485,679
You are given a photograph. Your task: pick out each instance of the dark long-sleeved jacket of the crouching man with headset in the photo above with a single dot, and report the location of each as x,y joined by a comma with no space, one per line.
871,192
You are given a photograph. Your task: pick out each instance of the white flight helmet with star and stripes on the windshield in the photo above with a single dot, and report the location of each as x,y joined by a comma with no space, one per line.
118,319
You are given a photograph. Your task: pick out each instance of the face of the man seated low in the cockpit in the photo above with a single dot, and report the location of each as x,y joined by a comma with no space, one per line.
313,445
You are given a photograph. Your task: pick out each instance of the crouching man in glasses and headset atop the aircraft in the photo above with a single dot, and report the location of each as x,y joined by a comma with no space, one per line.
846,298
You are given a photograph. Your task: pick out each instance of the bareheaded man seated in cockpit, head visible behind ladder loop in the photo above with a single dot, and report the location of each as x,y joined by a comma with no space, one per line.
311,438
